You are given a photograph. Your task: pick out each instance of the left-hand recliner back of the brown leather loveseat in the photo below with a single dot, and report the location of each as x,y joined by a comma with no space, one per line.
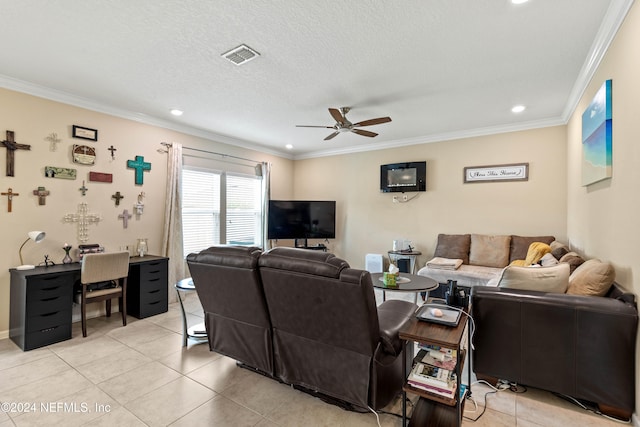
236,317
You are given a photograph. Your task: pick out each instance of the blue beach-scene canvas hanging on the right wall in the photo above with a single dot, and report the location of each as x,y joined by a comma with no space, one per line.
597,137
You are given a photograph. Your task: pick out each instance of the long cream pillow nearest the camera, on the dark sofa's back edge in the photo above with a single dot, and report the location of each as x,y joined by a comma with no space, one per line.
543,279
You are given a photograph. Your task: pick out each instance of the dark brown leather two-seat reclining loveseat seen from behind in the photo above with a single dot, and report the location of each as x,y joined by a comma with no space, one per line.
324,333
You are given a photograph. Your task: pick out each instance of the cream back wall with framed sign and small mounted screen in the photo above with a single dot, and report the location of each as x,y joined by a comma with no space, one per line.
368,221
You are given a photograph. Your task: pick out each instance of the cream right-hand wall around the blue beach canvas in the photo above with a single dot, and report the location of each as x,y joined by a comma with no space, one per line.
602,220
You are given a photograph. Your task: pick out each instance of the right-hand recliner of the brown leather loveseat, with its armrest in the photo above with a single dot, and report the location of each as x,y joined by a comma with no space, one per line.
328,335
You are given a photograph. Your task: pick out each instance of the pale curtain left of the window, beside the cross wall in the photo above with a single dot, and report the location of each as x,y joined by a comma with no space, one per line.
172,233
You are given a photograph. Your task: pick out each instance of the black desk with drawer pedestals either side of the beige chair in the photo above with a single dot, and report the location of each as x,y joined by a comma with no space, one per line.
41,299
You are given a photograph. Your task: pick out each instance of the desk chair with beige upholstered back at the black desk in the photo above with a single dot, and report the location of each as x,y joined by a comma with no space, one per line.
104,267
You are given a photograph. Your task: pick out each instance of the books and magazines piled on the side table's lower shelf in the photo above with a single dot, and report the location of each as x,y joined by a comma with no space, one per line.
434,371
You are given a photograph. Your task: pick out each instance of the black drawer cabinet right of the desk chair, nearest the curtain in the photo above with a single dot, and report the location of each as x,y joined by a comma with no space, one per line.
147,286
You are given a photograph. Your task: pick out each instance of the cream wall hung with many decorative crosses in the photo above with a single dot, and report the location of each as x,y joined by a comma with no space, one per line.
33,119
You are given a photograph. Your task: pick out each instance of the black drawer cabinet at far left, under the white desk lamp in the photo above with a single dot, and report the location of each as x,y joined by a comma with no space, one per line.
41,302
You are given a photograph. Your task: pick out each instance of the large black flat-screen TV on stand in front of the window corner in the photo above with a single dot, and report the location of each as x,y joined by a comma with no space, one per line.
301,219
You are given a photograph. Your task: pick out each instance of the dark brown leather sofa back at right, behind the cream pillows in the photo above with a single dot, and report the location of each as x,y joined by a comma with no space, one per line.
579,346
